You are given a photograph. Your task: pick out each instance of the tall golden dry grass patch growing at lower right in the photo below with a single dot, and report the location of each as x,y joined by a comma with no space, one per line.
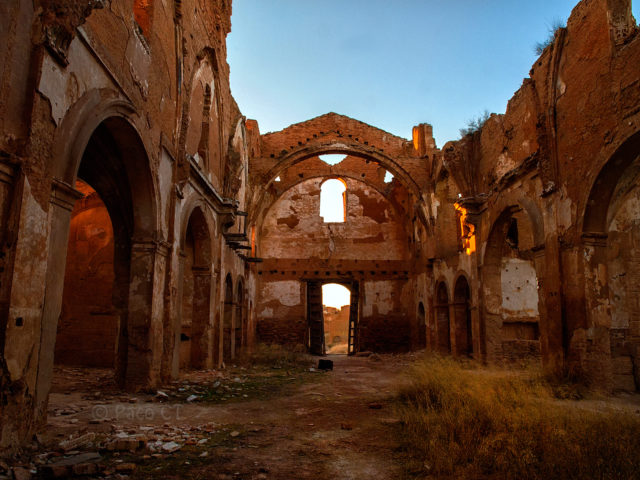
460,421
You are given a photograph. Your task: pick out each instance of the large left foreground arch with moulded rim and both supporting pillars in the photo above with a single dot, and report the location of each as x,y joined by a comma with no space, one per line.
92,142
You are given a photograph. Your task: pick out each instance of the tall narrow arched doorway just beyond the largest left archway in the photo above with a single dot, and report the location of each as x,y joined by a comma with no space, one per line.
196,330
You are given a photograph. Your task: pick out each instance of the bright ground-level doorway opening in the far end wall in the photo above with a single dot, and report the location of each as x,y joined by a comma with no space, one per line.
336,300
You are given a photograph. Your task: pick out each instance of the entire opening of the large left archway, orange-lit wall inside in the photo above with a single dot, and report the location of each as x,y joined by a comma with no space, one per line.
113,160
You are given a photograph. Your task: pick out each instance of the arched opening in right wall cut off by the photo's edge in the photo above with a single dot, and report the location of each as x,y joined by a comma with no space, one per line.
610,227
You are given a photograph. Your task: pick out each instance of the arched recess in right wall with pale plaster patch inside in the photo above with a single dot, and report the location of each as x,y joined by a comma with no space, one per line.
512,267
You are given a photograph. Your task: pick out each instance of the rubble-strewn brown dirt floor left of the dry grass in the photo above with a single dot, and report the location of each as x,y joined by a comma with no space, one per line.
263,422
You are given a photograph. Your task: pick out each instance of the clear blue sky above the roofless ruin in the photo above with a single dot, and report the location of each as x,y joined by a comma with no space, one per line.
392,64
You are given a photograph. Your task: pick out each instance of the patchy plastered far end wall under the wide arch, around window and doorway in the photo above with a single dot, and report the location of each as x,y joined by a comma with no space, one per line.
371,246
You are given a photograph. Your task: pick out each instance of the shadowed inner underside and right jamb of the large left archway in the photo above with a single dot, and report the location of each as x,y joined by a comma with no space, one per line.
112,161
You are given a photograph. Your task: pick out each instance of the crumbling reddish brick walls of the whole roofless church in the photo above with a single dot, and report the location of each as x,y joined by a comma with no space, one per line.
150,232
